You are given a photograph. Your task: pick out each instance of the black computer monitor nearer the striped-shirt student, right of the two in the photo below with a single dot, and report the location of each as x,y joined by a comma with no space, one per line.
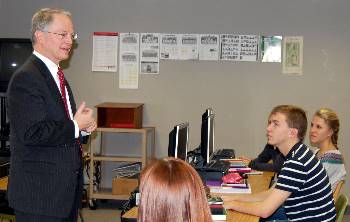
207,138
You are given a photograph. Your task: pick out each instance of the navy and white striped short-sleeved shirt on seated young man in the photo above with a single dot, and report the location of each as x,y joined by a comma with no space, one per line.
304,176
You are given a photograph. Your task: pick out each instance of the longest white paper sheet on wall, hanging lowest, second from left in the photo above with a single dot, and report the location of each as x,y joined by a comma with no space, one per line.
129,61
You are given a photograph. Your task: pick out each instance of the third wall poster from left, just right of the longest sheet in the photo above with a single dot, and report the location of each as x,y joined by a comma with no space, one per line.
149,53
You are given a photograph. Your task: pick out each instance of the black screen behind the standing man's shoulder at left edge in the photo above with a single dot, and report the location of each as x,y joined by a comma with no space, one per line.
13,53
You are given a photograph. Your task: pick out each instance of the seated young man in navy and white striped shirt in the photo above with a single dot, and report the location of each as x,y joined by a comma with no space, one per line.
302,186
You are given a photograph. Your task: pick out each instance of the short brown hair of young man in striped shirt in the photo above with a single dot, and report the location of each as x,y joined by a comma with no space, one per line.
295,118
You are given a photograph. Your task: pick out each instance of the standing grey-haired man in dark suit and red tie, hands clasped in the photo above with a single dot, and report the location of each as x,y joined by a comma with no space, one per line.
45,181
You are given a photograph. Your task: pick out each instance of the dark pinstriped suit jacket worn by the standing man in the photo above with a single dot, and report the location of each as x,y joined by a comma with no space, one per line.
45,158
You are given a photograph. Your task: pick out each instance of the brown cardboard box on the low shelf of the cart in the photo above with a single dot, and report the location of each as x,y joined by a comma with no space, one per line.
124,186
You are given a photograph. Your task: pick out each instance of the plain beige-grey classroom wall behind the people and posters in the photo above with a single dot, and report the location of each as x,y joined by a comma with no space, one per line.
241,93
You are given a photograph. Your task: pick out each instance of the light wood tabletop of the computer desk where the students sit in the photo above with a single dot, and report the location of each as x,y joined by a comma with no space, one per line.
258,183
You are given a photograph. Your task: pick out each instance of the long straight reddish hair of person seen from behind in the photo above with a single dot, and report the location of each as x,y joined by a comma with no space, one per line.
172,191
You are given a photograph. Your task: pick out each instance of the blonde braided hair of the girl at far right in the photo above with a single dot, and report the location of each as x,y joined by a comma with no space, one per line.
332,120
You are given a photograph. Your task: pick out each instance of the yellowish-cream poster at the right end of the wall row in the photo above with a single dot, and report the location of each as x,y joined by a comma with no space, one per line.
292,55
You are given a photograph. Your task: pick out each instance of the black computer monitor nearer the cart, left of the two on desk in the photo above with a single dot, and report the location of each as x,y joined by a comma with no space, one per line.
178,141
